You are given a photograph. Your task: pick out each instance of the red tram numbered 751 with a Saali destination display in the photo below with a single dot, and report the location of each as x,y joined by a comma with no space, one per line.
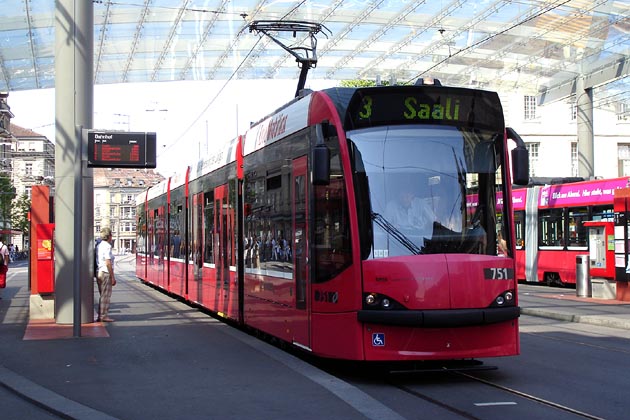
288,228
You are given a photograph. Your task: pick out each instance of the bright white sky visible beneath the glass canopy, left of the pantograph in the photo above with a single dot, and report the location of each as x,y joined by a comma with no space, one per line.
188,117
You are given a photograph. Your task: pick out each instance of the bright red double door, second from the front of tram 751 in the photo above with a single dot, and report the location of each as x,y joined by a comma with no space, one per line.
223,251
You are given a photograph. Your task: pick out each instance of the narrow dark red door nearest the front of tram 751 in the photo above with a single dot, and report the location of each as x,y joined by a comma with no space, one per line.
301,331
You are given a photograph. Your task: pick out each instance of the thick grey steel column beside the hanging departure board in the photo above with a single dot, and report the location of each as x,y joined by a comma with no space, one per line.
74,55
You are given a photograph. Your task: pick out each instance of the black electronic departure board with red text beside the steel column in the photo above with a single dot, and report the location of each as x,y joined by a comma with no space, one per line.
113,149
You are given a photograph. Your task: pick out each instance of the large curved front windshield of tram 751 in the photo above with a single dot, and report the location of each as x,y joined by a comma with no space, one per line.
432,189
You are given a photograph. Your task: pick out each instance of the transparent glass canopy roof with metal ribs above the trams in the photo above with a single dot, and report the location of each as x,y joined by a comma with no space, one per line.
538,47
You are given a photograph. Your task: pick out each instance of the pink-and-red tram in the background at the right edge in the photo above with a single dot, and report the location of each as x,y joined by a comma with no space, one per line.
552,228
